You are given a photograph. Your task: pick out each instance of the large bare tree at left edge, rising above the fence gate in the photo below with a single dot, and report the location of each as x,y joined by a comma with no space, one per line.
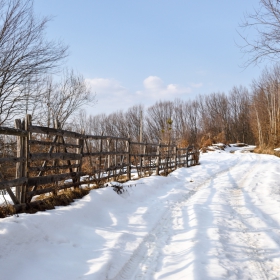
24,54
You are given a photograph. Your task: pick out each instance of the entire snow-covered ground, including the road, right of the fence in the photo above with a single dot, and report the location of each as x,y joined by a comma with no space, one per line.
218,220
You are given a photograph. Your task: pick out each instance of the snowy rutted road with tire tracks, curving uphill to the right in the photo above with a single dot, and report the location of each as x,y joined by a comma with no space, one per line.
213,232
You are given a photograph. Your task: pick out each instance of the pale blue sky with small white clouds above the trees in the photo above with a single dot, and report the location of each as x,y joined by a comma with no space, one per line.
141,51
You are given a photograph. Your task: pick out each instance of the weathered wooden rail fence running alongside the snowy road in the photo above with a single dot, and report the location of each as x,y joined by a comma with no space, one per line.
41,160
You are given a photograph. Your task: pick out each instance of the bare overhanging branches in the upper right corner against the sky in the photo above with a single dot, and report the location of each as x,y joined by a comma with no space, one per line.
265,23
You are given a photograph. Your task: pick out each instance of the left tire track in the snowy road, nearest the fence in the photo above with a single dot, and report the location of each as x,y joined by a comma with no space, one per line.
143,261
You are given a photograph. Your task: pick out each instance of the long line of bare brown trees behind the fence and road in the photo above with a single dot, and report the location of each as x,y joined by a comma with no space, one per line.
241,115
